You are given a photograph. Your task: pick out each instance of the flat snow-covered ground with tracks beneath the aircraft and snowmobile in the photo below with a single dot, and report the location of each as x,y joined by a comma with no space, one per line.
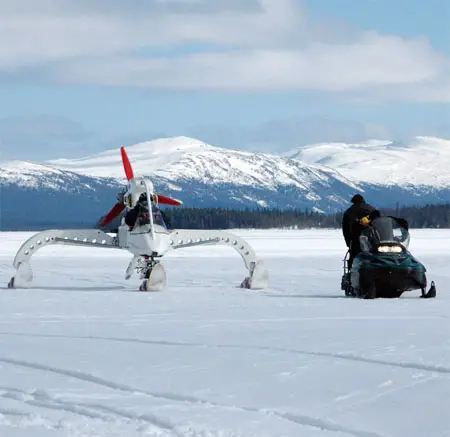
83,355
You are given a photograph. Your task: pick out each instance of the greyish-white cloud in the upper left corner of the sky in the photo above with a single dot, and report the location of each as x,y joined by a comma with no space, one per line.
65,29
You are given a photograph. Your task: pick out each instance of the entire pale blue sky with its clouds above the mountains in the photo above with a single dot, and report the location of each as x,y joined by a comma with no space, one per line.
79,76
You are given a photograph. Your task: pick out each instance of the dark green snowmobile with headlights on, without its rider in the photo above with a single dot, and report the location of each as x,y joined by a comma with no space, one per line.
385,268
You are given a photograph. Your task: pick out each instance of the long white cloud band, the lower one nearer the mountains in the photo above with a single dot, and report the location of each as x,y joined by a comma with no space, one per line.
372,61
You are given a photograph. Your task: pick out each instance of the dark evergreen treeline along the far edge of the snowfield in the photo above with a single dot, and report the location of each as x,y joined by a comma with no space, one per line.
428,216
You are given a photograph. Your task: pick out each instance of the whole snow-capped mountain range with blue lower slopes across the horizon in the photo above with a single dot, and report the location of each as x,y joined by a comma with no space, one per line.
320,176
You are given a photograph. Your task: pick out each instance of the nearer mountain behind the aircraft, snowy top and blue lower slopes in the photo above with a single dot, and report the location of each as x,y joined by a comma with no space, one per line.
77,192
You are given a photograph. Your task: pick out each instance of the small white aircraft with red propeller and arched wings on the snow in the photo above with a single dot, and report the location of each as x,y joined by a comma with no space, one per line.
148,239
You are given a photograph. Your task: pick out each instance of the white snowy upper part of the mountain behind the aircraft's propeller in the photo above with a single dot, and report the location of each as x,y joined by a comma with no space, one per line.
184,158
